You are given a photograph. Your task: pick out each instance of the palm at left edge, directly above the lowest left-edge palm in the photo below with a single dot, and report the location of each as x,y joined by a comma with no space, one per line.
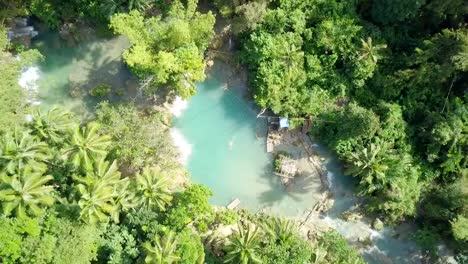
20,148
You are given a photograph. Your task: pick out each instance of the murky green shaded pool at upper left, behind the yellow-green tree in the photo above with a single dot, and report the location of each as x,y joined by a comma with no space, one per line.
70,70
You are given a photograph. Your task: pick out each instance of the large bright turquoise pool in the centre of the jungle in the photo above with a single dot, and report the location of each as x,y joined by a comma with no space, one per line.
229,152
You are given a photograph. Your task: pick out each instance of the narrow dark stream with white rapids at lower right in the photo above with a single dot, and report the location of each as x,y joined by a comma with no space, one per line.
386,246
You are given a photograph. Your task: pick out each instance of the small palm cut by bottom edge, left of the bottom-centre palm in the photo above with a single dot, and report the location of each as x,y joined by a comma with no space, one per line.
161,250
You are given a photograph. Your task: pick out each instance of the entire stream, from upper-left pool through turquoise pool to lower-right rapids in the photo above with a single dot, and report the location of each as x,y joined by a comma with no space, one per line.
221,140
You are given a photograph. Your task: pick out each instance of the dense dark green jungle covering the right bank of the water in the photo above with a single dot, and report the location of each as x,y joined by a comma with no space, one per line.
384,83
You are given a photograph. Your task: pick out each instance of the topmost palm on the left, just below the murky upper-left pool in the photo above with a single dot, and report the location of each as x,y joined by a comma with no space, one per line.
52,126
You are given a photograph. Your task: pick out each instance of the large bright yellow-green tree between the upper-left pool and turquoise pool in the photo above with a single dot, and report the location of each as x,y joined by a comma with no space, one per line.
167,50
